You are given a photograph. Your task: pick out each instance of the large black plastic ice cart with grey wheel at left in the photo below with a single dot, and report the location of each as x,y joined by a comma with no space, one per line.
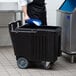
33,43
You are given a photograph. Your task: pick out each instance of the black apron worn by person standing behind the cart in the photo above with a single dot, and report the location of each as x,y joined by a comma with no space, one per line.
37,9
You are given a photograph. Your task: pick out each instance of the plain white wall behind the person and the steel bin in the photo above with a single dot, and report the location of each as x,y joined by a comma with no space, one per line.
52,6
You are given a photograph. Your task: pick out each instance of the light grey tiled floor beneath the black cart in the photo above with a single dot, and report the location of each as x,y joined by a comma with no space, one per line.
8,67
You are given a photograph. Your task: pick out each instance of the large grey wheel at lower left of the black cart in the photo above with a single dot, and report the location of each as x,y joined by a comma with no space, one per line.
22,63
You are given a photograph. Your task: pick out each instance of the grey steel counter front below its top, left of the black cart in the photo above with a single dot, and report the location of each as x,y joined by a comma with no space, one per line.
7,16
